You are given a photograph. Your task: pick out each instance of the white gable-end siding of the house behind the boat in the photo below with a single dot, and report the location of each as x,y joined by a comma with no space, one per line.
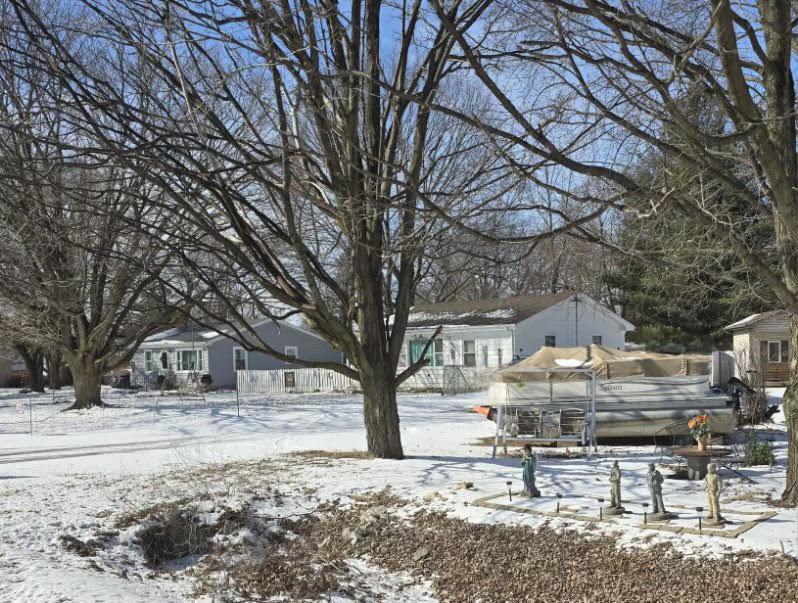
561,321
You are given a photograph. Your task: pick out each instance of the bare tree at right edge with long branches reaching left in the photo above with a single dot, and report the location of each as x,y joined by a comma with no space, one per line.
617,75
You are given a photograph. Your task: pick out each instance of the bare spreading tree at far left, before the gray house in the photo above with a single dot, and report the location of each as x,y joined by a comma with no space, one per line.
76,266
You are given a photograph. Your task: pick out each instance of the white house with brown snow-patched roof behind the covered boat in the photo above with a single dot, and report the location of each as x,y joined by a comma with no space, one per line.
495,332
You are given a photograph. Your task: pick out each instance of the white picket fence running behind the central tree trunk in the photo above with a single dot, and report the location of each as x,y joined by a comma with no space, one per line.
308,380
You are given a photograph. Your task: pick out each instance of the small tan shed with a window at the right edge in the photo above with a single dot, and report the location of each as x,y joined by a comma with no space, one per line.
761,344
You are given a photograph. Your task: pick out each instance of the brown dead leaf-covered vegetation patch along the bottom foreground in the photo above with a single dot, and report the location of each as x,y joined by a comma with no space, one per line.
496,563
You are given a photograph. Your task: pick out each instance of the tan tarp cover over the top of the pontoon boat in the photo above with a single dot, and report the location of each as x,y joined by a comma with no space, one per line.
606,362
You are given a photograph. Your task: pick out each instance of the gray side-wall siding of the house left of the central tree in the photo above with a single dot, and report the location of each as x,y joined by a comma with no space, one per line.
310,347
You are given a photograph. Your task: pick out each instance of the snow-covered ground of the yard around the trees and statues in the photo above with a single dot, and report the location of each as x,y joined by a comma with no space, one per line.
78,470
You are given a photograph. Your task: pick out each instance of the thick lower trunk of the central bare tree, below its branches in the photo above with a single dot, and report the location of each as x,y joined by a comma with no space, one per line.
380,411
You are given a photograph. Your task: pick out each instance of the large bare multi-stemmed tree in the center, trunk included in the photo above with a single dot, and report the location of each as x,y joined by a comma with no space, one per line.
297,146
